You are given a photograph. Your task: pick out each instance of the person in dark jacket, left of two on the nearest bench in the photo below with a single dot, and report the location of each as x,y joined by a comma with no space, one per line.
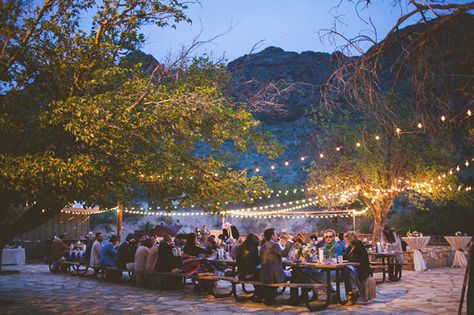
248,263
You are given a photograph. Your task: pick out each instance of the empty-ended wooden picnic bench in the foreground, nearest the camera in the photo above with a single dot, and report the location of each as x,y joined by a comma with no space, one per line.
311,305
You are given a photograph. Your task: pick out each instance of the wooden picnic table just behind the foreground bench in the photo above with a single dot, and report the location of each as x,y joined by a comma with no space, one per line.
328,267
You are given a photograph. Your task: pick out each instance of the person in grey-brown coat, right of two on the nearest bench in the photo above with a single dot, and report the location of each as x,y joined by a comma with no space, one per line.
272,270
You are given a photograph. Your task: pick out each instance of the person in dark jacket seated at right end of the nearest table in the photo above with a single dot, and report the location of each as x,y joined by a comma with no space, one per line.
354,276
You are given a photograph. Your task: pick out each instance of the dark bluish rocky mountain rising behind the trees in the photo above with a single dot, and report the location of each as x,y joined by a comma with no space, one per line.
305,72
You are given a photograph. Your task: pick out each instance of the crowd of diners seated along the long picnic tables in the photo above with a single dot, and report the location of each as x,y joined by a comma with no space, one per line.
258,257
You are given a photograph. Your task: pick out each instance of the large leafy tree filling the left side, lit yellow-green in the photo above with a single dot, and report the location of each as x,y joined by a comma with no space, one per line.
78,121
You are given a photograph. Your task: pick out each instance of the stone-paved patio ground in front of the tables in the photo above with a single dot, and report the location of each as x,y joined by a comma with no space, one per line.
37,291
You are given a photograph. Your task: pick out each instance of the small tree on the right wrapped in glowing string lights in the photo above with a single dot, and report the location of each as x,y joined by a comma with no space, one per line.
365,162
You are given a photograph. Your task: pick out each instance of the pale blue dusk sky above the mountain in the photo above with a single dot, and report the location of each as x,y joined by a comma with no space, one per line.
292,25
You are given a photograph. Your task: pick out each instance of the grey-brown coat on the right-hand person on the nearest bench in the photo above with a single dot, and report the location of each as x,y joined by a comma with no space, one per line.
272,270
